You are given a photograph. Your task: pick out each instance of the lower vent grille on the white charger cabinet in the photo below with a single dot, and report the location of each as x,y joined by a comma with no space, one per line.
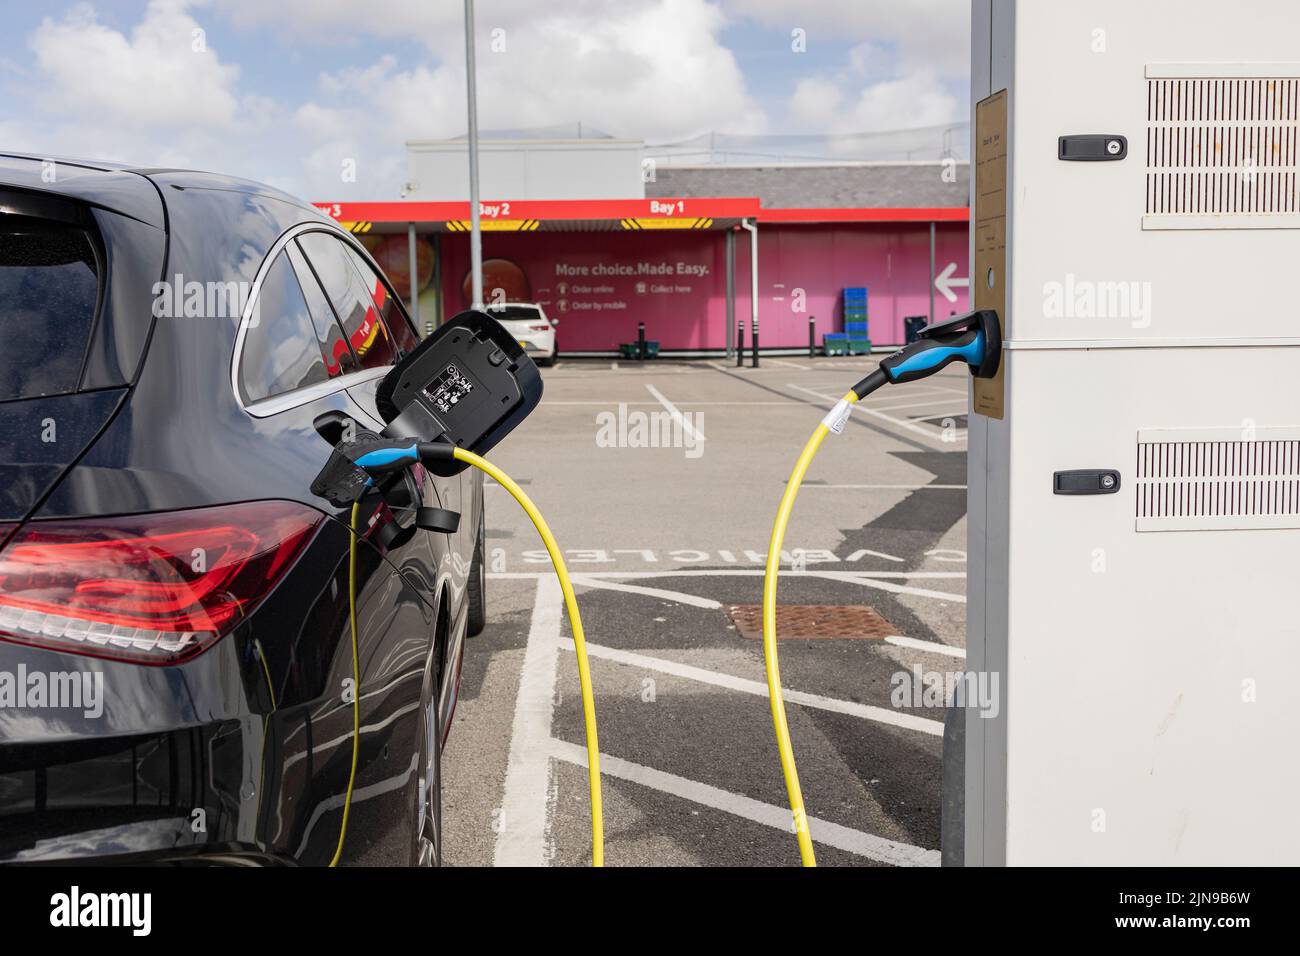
1206,482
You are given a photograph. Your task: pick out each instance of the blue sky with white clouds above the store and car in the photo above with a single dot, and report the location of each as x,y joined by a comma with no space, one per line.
296,92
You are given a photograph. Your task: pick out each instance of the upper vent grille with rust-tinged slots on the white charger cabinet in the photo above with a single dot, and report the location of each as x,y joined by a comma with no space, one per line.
1224,149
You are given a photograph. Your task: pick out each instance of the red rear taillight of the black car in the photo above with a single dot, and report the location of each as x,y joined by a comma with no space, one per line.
151,589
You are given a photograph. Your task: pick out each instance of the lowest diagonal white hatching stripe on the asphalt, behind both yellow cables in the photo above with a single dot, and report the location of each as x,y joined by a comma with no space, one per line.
777,817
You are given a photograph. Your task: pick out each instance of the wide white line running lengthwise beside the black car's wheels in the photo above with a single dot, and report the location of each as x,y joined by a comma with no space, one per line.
522,841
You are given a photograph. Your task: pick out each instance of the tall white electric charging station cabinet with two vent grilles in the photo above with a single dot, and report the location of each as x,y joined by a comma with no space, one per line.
1134,491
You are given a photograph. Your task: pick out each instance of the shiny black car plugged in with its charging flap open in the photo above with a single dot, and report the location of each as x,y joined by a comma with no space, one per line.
176,644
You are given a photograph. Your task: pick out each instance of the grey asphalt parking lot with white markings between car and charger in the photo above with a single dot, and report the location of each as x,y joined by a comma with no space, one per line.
662,542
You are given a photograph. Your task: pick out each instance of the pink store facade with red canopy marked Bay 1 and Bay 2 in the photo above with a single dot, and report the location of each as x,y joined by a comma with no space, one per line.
679,266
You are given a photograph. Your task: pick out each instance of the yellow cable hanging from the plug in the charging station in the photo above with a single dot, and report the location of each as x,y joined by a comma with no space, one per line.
774,672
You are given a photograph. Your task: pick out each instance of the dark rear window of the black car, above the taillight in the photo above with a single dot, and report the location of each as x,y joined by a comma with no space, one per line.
49,289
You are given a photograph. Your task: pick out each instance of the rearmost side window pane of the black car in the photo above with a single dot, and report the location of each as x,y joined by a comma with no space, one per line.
281,352
